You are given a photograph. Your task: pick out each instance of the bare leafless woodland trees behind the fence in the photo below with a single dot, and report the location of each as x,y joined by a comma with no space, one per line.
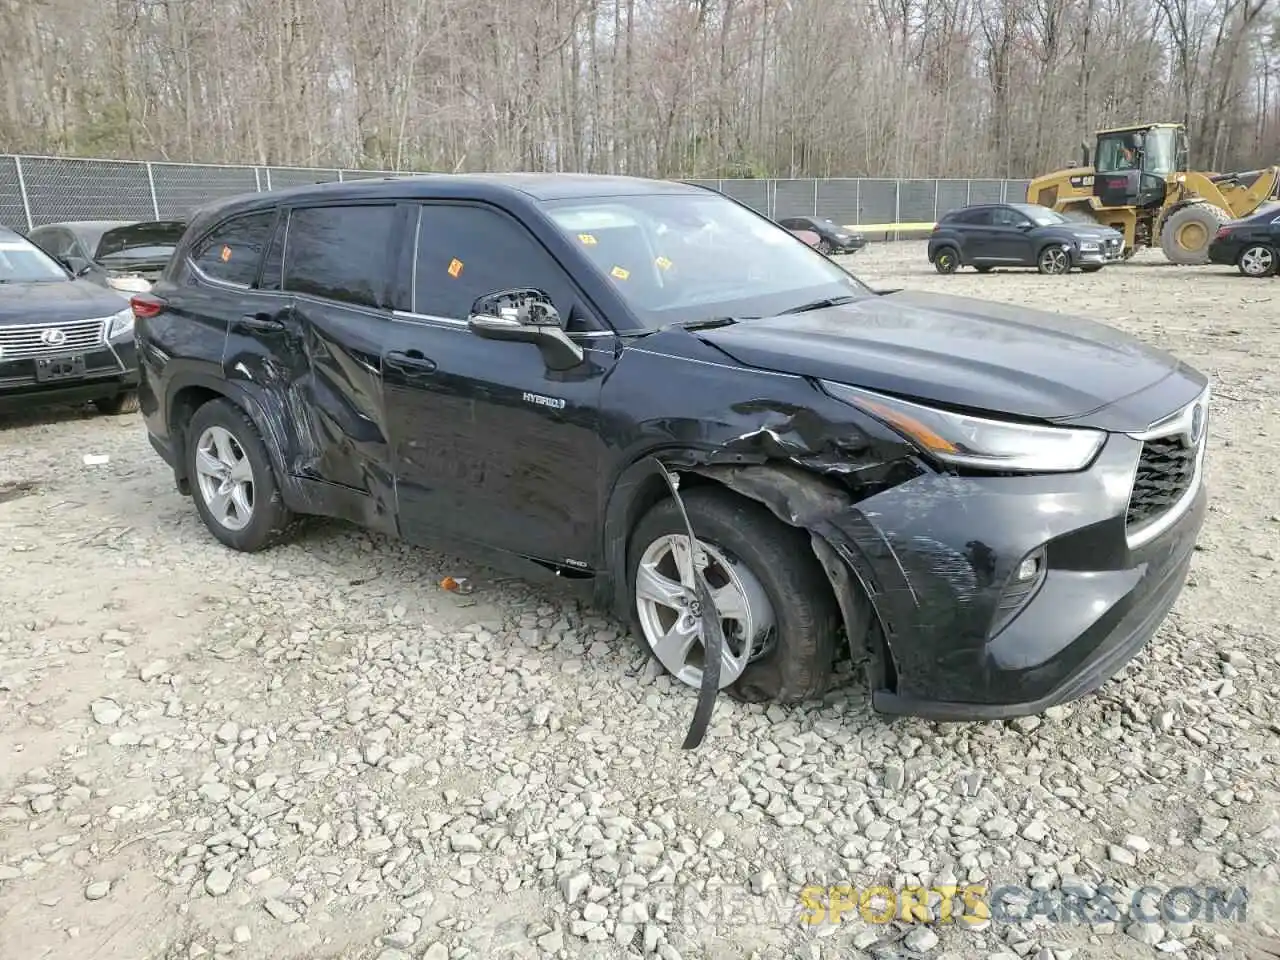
655,88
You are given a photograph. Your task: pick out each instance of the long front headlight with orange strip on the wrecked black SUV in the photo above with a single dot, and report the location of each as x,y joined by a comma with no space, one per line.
966,441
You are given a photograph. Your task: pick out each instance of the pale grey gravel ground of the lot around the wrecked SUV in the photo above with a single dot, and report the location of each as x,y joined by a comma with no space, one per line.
319,753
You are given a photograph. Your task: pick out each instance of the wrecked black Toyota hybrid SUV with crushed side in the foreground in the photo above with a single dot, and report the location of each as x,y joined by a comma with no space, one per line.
989,508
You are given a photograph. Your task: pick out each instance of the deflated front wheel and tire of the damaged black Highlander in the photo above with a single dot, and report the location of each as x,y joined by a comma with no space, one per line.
776,606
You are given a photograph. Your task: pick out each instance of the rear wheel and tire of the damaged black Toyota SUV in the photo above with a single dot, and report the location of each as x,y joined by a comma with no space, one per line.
232,481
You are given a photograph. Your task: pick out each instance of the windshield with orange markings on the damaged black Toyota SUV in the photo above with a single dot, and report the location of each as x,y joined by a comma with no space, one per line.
679,258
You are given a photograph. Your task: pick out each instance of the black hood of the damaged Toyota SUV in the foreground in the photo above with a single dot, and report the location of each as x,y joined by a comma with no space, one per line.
970,354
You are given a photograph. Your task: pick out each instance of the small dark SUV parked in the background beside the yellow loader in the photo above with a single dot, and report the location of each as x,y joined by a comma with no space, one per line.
988,236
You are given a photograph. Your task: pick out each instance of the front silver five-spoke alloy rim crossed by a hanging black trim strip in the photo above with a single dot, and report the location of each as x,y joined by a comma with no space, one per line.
671,620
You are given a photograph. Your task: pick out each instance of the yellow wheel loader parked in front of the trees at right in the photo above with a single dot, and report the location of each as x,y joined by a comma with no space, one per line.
1140,185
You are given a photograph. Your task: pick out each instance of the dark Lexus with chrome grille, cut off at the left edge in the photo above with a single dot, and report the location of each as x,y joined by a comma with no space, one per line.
62,340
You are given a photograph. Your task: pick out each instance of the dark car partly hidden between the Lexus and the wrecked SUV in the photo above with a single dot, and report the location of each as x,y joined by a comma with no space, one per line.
125,255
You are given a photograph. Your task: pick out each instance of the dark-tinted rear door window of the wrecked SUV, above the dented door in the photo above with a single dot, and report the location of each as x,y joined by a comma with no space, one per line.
341,253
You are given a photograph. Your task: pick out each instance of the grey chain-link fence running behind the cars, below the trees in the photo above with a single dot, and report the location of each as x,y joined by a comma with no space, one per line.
40,190
